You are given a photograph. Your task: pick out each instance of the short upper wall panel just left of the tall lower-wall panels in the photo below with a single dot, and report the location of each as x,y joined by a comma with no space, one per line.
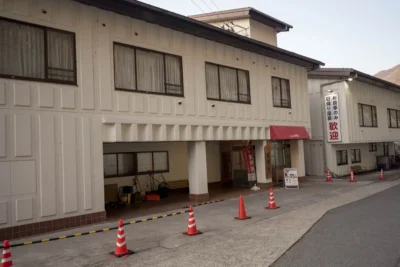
22,133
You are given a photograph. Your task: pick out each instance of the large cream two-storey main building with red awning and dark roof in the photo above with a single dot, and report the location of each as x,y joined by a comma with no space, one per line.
93,93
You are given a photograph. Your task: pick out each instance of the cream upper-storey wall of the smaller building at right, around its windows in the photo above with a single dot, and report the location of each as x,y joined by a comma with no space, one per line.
350,94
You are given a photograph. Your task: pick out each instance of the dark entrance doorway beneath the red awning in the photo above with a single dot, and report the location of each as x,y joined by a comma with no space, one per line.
280,159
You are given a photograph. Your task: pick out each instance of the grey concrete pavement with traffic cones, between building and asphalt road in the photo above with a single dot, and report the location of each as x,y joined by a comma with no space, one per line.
255,242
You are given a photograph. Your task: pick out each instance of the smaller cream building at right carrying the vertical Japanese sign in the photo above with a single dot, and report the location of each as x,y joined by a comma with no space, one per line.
360,132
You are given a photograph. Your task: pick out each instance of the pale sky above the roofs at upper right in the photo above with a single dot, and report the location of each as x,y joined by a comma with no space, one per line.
359,34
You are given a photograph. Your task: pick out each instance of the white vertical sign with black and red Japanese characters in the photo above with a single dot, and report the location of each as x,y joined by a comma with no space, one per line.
332,118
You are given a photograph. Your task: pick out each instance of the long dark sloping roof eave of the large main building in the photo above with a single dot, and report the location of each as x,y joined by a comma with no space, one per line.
162,17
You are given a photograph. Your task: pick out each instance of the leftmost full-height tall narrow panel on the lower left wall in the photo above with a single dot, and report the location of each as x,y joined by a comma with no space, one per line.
47,164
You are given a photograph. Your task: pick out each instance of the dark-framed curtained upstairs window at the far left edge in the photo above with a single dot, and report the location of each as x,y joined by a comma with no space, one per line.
32,52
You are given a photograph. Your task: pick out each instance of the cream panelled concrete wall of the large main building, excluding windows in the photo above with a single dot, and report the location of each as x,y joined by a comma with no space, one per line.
51,135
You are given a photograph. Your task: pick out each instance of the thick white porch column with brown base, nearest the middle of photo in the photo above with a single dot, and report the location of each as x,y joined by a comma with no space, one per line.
197,161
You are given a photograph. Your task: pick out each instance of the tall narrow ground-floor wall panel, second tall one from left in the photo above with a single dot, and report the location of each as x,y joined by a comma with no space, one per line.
68,163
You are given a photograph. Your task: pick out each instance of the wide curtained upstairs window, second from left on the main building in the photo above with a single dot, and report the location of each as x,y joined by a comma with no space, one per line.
142,70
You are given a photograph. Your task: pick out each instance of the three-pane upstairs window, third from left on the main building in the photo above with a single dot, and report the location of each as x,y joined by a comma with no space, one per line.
227,84
